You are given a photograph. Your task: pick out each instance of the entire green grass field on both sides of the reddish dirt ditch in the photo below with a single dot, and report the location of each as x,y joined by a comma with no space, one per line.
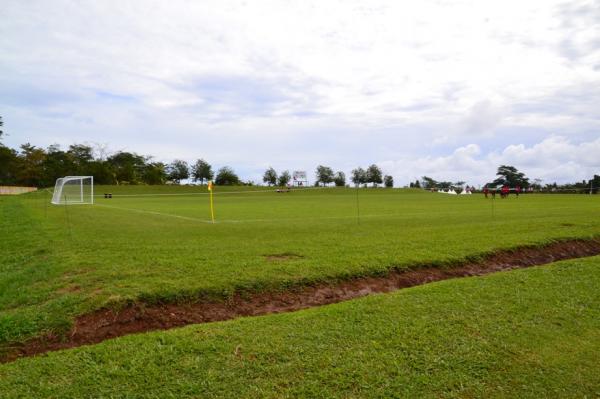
156,244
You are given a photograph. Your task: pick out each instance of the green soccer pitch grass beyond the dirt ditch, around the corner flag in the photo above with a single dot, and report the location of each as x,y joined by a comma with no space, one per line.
58,262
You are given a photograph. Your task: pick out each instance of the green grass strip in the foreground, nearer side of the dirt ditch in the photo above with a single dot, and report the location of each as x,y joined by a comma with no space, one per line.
527,333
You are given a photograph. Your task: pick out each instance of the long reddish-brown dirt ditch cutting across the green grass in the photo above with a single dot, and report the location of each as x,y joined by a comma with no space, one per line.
109,323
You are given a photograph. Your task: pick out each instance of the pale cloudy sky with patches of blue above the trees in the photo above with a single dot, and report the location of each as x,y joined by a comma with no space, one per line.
448,89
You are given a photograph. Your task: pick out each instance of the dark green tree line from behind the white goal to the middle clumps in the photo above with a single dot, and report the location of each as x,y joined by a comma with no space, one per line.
40,167
